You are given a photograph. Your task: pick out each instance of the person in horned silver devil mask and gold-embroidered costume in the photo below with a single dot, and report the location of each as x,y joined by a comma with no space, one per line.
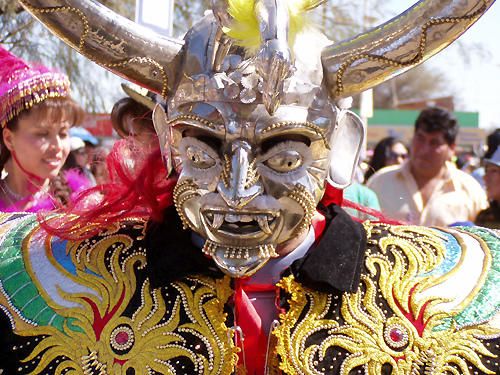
228,253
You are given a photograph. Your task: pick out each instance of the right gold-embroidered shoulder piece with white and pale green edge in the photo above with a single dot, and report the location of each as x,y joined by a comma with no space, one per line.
428,303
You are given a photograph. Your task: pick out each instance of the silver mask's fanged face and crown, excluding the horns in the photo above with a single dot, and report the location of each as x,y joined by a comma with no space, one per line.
252,159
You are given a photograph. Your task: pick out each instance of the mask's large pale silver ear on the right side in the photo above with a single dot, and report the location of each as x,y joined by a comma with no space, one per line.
345,146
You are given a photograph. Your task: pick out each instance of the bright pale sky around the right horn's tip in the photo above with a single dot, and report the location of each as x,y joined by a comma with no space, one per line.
477,82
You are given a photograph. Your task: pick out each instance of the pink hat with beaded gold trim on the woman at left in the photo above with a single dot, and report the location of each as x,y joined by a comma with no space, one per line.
22,85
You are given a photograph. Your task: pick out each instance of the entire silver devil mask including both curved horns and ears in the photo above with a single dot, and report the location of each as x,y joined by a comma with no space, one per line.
254,135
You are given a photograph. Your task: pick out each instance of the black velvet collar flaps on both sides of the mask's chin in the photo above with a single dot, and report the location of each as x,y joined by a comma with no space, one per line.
334,264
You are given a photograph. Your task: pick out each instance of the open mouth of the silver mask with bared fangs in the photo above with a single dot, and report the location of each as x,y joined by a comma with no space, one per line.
241,223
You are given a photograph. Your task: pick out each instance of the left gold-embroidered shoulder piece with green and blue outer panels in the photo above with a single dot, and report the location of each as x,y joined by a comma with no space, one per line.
87,308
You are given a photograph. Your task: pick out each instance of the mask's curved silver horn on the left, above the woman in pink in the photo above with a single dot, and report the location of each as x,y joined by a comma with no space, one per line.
119,45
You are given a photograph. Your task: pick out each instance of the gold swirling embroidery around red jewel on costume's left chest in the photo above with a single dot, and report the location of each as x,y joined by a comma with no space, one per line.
105,339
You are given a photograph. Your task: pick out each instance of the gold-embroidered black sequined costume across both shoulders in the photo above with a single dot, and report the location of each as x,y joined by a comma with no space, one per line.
99,307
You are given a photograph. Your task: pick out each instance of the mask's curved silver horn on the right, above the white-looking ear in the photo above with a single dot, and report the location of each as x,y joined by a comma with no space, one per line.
392,48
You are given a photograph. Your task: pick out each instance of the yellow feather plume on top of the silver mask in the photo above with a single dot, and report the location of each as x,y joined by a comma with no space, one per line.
245,27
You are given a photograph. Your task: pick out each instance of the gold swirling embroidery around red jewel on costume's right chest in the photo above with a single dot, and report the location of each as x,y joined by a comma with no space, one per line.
384,323
